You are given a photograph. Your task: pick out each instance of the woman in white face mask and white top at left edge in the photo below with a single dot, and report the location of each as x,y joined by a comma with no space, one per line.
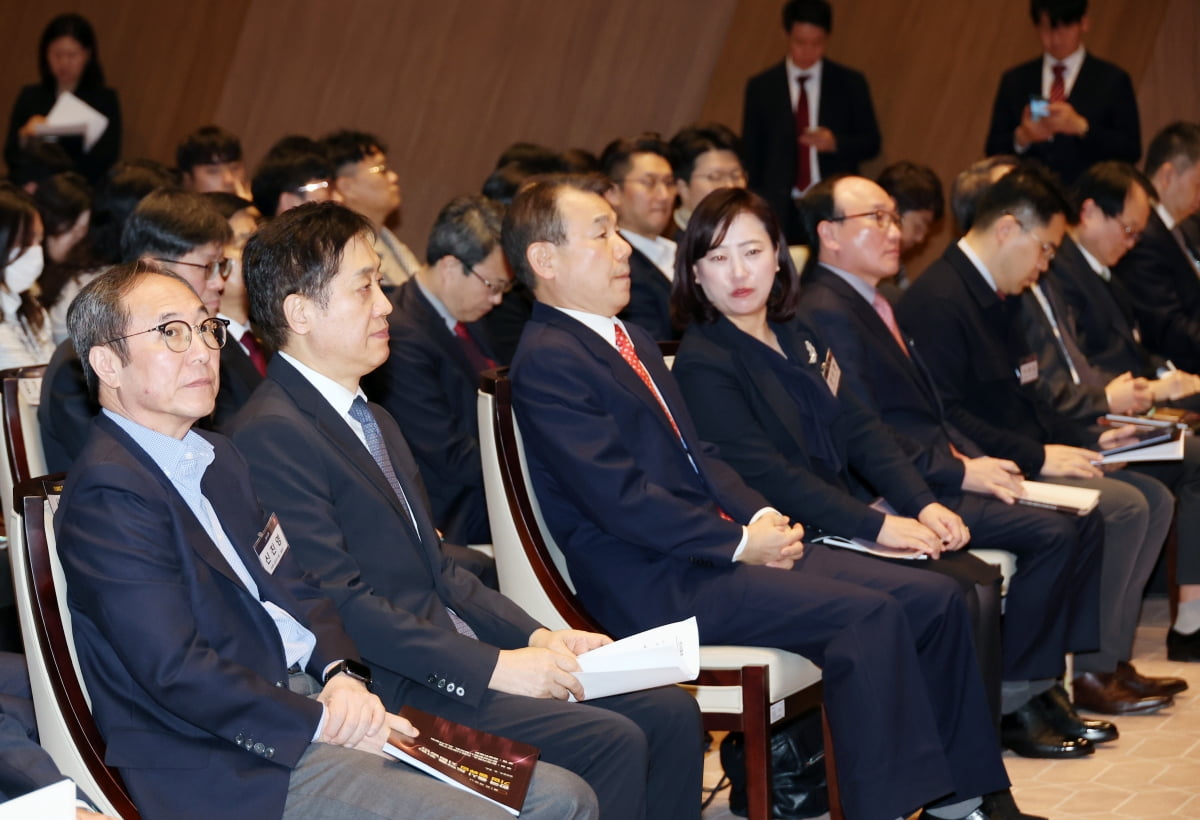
25,330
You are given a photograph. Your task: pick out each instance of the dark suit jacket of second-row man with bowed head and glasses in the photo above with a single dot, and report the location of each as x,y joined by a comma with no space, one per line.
430,387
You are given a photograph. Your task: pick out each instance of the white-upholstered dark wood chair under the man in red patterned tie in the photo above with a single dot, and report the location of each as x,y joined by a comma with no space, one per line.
740,689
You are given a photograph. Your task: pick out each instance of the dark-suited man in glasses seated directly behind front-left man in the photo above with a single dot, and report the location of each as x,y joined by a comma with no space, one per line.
185,234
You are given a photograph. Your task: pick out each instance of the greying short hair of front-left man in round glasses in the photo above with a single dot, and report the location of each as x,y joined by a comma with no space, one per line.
99,315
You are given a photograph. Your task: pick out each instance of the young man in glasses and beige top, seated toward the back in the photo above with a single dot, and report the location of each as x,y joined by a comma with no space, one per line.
367,184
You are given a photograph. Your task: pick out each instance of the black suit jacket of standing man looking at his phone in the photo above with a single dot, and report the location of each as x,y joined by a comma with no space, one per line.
1102,94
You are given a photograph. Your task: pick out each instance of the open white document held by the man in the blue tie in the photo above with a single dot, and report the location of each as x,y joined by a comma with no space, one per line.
653,659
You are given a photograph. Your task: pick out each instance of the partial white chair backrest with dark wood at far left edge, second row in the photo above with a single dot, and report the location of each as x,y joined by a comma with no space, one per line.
23,456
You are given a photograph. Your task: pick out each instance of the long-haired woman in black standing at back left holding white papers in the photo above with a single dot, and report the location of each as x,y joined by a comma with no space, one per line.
68,61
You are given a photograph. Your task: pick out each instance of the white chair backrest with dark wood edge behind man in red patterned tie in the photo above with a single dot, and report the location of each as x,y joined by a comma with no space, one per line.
531,567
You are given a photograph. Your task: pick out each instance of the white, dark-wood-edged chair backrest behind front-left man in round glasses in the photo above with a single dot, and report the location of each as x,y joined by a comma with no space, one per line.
61,701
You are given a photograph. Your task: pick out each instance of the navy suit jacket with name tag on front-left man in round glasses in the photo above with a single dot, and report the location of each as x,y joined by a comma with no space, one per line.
185,668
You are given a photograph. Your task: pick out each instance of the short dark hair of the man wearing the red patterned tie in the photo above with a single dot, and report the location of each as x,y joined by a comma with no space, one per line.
535,218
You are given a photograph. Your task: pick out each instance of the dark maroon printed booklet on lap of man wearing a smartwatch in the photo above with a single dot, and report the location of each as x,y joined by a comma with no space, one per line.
495,768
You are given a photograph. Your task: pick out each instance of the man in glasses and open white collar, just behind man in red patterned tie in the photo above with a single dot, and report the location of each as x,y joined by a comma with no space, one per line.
644,190
